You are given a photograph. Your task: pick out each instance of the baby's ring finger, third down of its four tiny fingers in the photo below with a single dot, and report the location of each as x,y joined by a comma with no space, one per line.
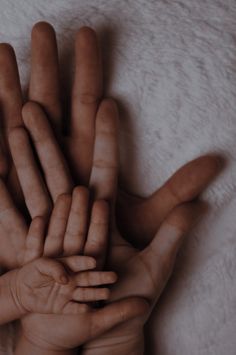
90,294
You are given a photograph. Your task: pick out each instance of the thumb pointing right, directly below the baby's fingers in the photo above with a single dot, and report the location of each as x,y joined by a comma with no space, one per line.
116,313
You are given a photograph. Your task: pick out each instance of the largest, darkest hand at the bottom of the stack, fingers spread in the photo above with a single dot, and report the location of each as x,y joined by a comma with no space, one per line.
44,88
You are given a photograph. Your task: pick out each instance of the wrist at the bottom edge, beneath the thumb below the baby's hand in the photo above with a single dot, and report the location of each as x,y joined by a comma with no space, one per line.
126,344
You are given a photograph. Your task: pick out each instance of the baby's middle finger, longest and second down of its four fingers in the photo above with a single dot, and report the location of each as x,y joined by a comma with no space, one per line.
95,278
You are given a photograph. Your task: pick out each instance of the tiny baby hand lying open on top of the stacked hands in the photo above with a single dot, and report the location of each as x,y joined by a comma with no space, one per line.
53,286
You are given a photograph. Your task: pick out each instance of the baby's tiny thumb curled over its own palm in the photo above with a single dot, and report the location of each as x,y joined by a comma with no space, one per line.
53,268
